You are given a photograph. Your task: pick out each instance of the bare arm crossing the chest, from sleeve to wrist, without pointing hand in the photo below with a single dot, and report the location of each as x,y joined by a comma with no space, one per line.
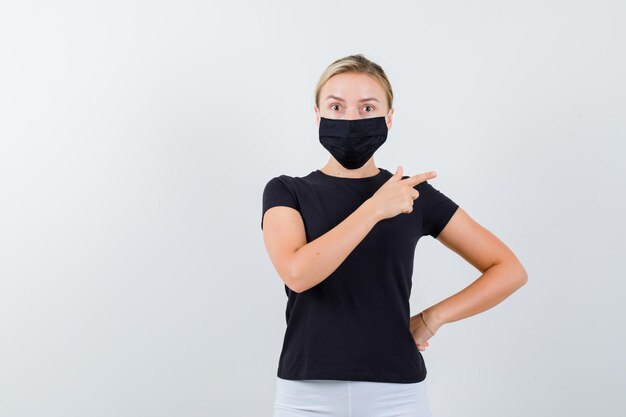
303,265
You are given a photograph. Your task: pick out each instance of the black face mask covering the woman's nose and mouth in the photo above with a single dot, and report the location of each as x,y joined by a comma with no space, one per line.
352,142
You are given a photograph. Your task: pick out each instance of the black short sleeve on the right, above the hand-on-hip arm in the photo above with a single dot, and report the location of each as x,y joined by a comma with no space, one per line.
437,209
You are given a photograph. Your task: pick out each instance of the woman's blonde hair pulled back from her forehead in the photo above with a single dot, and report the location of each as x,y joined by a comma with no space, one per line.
355,63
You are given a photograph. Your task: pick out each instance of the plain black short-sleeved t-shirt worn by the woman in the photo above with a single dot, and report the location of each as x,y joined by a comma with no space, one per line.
354,325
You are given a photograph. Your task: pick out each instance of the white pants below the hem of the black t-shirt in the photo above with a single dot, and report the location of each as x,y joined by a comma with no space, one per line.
335,398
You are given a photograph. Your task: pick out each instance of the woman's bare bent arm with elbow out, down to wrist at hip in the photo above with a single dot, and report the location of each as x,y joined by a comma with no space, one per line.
502,272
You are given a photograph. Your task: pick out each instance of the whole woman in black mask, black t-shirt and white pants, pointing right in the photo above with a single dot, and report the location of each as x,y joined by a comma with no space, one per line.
342,239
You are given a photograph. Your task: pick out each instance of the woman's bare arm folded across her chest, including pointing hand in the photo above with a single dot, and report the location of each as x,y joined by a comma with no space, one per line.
303,265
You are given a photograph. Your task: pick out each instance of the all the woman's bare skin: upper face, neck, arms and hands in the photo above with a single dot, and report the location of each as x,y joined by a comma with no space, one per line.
302,265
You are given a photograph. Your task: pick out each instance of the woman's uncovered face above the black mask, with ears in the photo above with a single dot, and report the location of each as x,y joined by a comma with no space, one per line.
350,96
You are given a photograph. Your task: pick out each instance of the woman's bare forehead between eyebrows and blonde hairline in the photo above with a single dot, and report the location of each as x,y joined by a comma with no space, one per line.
352,86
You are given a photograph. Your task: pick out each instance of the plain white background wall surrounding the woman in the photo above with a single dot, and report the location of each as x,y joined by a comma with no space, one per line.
135,142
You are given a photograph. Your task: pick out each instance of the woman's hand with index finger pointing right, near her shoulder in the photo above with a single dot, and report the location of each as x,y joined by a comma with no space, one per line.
397,195
